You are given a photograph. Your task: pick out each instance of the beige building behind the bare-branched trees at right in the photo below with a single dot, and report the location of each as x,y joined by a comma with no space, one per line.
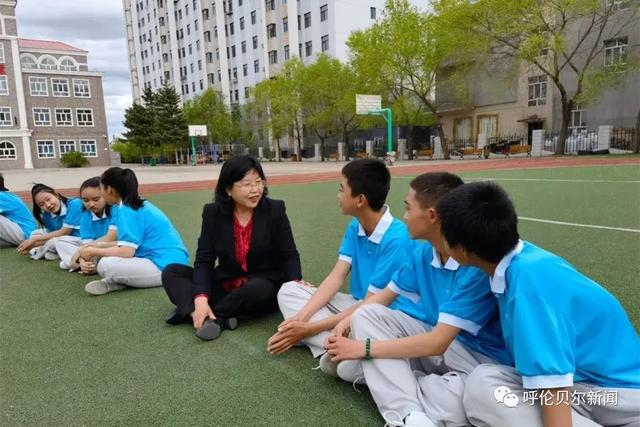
510,102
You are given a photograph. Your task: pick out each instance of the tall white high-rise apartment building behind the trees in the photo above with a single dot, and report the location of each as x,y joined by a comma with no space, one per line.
233,44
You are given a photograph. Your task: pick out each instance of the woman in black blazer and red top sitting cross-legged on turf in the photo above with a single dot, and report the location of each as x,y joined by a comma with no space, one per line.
250,238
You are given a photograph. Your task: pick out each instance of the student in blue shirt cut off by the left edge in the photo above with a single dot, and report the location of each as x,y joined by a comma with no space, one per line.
16,222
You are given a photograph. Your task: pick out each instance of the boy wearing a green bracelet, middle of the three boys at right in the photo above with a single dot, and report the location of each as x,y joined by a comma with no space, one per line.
408,380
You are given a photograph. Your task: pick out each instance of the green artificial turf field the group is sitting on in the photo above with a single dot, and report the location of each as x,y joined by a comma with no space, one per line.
70,359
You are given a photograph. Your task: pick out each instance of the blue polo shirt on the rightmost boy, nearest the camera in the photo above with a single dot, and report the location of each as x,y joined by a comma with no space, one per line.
562,326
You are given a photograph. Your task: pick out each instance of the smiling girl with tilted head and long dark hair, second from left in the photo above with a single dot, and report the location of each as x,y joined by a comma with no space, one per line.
58,215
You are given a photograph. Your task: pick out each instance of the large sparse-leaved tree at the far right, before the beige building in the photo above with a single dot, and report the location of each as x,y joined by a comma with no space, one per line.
562,39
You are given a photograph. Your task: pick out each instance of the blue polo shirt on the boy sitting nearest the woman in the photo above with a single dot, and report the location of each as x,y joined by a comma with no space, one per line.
375,258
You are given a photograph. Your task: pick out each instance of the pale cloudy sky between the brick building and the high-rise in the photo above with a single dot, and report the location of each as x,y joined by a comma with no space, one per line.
93,25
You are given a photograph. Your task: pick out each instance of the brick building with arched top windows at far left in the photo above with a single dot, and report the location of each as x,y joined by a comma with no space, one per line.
50,103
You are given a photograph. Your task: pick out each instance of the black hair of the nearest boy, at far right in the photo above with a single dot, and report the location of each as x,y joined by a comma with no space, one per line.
481,218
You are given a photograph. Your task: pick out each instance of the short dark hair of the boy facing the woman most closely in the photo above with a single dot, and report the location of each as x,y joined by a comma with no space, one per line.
369,177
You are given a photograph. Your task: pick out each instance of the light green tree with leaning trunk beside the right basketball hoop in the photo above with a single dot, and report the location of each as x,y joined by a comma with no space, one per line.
401,53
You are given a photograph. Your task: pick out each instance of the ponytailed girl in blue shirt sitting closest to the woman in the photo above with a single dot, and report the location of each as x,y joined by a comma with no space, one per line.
147,240
